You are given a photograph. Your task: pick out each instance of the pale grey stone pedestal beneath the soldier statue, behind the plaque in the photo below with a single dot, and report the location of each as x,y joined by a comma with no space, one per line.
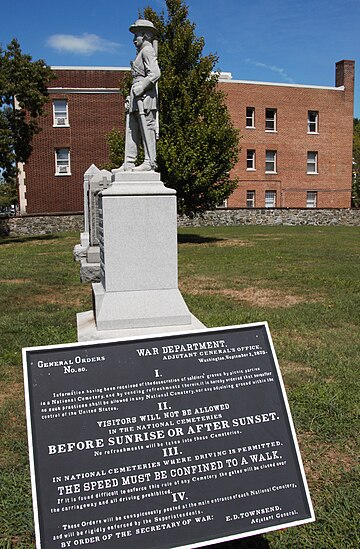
138,260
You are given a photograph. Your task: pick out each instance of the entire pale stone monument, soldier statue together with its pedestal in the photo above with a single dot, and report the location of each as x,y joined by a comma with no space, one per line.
138,290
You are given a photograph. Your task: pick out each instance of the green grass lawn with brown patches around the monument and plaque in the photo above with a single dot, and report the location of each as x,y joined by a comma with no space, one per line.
305,281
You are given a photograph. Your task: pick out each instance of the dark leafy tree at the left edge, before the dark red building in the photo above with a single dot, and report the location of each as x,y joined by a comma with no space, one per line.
23,94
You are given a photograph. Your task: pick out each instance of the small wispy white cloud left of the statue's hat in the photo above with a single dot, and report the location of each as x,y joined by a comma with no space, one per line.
86,44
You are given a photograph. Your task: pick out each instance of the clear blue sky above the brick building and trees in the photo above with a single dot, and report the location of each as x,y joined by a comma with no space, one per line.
291,41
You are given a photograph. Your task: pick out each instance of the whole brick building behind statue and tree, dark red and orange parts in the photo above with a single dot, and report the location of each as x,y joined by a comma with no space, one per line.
296,146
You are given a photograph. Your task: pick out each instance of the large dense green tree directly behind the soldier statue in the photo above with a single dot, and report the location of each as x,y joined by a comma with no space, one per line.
198,144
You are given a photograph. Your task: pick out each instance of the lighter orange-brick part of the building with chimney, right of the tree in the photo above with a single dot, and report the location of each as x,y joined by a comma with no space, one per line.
297,142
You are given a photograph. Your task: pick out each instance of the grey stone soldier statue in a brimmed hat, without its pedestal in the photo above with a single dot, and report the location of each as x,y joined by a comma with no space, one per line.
142,104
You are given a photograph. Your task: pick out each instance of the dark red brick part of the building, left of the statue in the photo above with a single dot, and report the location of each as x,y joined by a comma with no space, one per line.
85,104
